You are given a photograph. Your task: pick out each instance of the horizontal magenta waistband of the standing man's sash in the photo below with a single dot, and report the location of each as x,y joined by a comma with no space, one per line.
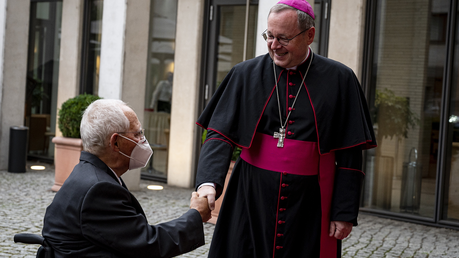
296,157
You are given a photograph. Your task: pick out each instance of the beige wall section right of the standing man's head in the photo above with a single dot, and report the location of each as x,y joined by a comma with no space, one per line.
347,32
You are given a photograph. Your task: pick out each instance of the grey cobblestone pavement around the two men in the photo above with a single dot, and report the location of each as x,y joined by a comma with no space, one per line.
25,196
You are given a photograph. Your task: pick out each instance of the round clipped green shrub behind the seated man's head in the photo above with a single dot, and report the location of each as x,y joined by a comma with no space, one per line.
71,113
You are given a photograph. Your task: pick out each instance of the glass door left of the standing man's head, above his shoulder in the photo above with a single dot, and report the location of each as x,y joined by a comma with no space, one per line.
232,33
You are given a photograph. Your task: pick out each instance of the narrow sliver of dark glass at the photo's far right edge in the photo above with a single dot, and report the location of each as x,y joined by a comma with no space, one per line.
451,190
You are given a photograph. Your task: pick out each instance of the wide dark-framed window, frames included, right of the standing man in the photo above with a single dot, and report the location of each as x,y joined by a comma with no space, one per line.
412,79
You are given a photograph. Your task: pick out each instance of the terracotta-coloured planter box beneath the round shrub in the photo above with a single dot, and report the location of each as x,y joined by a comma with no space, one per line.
66,157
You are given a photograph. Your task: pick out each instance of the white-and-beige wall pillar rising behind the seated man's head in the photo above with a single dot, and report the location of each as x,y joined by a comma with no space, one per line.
124,56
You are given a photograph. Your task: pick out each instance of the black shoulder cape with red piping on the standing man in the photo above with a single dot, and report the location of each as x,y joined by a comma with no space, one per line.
341,114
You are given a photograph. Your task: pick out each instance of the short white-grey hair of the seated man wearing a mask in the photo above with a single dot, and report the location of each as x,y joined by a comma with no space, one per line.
100,120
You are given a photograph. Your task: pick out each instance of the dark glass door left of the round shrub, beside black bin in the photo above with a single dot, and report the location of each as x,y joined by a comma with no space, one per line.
42,77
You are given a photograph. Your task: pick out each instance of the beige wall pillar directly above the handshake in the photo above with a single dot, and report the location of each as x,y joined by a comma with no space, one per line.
182,154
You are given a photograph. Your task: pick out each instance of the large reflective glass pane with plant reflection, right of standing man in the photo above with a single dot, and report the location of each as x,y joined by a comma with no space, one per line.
407,75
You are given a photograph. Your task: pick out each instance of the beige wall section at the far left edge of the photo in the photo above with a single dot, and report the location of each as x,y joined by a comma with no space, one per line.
16,31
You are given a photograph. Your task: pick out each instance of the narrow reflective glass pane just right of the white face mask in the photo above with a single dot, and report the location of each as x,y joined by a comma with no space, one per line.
158,92
